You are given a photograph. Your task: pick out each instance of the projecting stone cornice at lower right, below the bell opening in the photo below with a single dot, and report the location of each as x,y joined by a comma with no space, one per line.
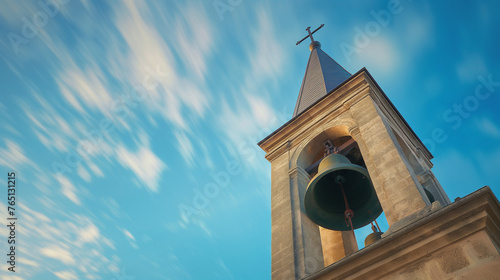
477,212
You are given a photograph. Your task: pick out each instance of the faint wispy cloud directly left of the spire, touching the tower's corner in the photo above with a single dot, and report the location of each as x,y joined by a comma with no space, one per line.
249,117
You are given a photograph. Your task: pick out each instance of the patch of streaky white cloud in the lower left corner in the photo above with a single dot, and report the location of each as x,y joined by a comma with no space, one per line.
72,244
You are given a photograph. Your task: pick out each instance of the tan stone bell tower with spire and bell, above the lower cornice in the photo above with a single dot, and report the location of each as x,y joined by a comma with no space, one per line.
349,117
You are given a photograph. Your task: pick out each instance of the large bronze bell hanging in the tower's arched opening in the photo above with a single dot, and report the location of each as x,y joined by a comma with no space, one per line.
340,186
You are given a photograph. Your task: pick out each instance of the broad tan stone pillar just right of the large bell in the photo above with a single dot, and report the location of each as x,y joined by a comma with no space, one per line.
395,187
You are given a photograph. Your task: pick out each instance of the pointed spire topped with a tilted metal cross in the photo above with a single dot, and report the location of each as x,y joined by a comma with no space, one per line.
323,74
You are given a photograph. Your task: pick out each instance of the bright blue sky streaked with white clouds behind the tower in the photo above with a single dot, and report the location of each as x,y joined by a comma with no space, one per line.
132,126
